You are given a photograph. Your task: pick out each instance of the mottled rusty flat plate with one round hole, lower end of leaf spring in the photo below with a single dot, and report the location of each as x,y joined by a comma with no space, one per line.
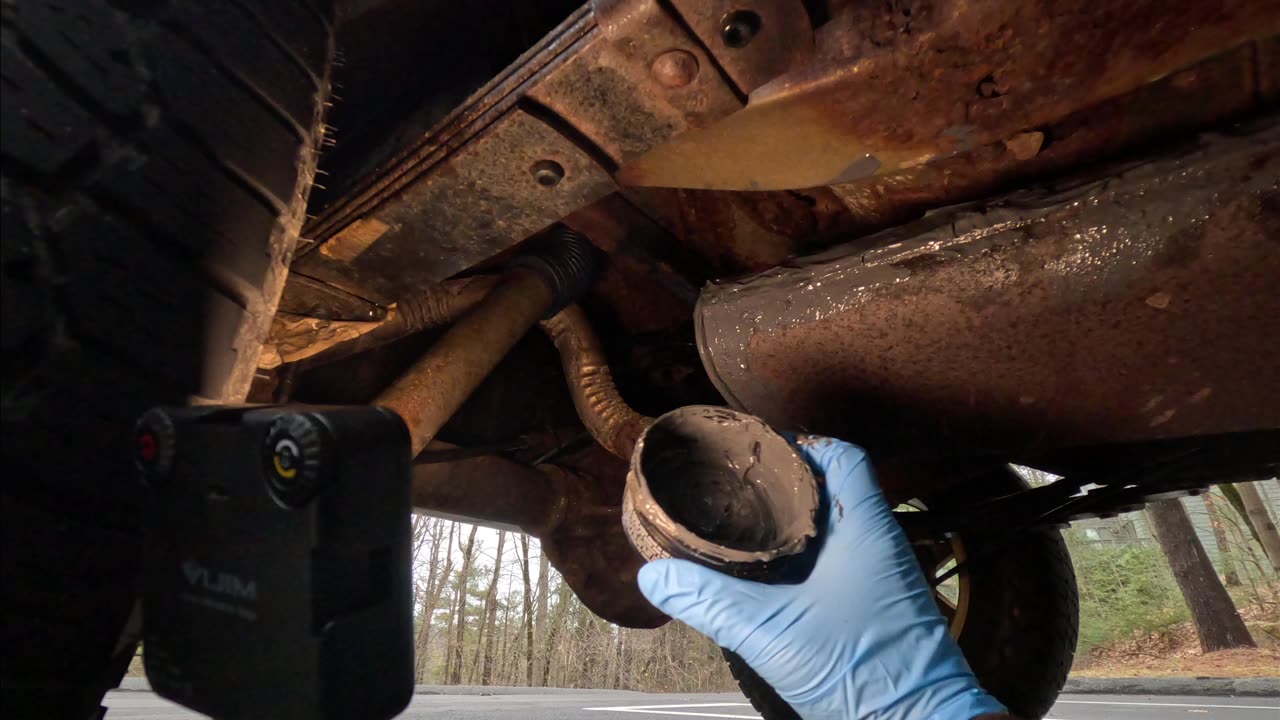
506,185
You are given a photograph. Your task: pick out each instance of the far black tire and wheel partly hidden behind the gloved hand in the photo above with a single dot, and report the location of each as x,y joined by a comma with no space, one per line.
1013,608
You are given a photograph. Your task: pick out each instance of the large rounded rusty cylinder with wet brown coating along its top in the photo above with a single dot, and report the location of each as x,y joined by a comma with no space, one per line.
1137,307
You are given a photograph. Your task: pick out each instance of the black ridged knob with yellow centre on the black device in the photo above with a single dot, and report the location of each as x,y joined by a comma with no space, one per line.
296,459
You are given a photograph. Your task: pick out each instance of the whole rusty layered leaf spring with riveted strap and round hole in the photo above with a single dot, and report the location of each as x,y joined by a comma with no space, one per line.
533,147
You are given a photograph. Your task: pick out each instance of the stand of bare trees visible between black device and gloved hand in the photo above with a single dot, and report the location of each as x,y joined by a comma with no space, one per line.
491,635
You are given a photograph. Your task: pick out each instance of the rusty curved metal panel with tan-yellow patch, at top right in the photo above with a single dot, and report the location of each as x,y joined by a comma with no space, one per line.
904,84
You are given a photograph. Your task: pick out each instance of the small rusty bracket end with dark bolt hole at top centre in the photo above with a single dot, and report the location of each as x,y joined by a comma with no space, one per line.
755,42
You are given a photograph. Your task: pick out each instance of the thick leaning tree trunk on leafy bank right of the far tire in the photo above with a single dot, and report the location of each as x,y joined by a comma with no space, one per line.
1218,623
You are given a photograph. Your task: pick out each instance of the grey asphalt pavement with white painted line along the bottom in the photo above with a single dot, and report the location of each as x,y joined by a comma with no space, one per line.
520,704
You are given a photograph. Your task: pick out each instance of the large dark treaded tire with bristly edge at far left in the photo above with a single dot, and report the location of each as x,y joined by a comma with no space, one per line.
157,160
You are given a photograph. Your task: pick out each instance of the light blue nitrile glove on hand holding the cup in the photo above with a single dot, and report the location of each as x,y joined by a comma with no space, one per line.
861,637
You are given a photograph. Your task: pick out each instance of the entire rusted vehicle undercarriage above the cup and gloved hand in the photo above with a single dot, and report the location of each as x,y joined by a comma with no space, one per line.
692,149
